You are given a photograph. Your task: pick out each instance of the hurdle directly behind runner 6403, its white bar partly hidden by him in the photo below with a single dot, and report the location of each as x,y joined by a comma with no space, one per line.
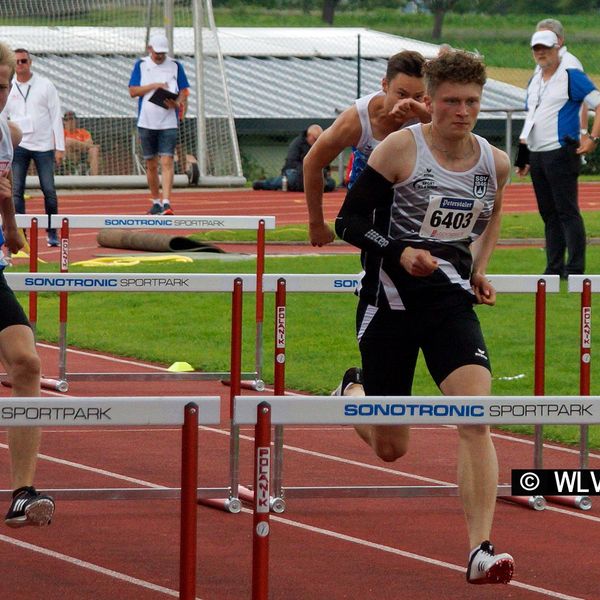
331,283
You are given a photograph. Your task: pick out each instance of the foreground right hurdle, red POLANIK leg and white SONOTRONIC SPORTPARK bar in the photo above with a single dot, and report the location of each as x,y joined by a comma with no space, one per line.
264,411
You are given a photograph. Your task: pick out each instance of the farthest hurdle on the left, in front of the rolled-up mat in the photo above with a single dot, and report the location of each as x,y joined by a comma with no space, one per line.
158,222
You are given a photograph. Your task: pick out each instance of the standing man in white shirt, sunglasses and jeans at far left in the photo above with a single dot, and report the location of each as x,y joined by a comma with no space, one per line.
34,105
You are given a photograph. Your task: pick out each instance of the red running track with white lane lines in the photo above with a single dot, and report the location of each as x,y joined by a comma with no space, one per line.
335,549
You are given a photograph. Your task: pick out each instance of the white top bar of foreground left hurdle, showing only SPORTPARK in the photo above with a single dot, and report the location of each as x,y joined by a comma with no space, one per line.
149,410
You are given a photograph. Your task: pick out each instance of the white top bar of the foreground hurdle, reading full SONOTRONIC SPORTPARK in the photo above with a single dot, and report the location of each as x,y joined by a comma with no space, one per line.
421,410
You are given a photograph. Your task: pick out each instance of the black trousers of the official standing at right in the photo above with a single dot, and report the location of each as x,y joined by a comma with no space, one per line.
554,175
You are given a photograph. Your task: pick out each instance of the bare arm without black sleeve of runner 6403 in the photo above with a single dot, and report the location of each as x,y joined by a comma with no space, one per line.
483,247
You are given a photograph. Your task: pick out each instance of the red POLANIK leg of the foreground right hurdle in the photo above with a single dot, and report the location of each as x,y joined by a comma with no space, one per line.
261,525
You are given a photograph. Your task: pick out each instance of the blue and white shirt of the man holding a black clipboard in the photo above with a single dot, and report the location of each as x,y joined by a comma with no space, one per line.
171,72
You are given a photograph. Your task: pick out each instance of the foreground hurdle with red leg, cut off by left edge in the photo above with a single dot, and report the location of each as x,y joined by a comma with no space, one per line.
188,412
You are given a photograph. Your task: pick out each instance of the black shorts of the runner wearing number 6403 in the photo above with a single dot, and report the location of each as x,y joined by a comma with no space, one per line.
390,340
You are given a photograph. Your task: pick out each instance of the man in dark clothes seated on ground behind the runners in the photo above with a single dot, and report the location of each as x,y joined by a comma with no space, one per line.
293,168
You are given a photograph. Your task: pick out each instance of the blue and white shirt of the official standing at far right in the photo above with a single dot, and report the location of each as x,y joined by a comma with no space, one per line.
553,108
